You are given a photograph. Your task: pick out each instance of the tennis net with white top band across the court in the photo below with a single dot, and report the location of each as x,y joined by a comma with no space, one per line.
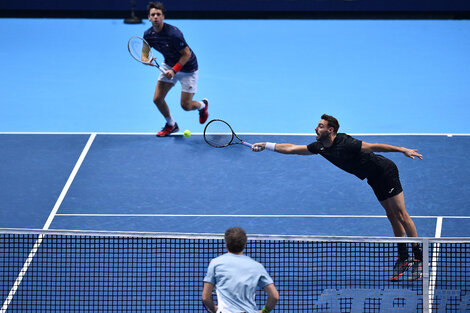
76,271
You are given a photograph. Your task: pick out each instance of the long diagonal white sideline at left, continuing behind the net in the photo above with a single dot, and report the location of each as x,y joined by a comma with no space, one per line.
53,213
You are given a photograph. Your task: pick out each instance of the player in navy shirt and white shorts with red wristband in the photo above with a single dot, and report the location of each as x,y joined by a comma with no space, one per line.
180,65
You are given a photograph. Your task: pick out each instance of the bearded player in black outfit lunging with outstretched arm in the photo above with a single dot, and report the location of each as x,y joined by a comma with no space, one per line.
358,158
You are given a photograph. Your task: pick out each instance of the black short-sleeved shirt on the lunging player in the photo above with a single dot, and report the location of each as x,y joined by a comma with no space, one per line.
345,153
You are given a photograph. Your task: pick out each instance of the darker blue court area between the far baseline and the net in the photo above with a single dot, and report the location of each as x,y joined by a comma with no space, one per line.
140,182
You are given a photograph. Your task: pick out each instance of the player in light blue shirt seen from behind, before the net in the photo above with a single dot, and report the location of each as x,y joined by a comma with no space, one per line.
235,277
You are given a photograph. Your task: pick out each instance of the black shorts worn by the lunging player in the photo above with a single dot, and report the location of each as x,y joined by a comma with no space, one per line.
386,181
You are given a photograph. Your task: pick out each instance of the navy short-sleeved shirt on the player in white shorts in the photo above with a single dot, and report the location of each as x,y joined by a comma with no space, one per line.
169,42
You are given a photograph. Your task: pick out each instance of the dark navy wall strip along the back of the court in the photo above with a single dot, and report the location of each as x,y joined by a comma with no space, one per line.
243,8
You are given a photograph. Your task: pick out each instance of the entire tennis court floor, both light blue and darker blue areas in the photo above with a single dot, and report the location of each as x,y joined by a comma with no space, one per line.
79,152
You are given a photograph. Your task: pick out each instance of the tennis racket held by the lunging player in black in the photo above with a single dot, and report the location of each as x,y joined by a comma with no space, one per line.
219,134
